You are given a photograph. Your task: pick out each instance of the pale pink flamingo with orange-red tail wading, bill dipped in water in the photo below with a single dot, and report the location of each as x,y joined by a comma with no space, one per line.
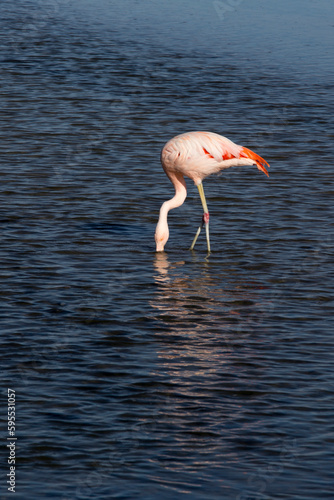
197,155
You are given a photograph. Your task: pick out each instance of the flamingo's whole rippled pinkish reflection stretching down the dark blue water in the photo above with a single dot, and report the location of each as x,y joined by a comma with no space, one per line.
211,317
